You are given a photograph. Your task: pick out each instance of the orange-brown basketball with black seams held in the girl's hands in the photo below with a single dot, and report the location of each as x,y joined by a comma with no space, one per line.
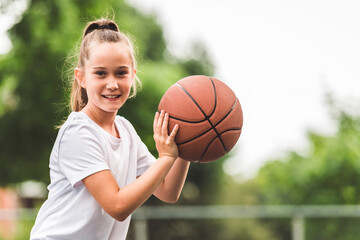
209,115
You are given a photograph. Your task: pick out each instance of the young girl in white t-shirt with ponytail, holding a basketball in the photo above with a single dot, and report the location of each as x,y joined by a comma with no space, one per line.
99,168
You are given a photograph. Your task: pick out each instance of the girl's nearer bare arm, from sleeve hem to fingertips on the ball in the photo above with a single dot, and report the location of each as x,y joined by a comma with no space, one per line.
121,202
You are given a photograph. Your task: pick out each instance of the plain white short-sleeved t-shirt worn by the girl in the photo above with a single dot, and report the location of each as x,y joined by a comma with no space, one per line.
81,149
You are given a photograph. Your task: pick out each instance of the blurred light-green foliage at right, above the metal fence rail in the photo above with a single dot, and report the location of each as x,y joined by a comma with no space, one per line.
326,173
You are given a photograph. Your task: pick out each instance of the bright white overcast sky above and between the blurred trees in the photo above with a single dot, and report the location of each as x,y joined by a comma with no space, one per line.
280,57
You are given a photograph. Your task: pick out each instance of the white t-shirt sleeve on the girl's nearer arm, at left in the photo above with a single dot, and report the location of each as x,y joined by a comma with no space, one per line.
81,153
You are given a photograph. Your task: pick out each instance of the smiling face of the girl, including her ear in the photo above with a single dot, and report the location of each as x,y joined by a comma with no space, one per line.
107,77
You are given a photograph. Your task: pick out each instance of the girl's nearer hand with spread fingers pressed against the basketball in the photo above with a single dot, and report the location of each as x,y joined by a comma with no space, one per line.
165,144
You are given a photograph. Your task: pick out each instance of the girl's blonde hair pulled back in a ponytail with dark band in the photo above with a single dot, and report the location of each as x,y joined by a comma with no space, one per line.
98,31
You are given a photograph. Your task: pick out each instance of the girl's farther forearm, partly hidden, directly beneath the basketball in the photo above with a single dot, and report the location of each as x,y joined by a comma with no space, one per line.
169,190
